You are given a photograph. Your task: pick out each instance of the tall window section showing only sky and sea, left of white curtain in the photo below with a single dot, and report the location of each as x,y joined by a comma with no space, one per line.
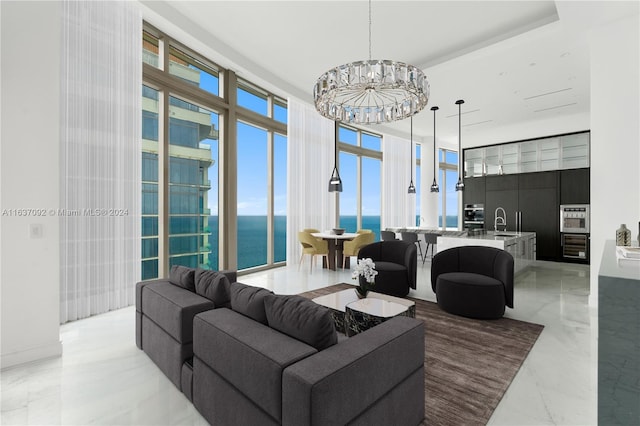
262,178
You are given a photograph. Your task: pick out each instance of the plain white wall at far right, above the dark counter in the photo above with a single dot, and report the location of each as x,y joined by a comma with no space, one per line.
615,136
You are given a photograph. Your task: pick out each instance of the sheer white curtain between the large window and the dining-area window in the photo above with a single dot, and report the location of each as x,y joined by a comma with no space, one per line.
311,154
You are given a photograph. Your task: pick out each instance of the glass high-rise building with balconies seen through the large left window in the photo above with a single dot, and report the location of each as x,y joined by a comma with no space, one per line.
192,136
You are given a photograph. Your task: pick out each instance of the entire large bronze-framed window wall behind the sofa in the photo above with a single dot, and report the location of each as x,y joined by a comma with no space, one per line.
183,110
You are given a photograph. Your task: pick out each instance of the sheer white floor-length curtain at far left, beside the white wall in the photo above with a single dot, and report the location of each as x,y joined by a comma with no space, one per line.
100,156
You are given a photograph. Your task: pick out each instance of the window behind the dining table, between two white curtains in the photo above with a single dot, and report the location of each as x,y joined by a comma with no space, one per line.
360,170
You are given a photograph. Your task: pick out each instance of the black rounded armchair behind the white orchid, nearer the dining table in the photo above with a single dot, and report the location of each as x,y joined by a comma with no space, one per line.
396,263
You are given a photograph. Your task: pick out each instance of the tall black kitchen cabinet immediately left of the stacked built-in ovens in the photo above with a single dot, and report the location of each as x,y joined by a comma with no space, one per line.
539,207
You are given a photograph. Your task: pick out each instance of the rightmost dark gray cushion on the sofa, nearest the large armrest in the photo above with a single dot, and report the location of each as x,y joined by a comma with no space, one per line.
302,319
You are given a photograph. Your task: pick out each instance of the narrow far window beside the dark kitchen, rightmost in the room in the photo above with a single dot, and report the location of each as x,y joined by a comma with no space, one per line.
448,197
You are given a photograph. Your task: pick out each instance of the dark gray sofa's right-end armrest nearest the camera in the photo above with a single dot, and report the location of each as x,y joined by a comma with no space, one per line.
341,383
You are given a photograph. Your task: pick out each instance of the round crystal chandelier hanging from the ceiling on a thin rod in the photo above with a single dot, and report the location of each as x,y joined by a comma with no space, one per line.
372,91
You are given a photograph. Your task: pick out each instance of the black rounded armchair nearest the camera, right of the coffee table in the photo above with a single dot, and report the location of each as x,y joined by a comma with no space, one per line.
473,281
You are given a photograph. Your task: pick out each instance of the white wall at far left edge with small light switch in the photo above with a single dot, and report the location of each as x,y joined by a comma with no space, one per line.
29,179
